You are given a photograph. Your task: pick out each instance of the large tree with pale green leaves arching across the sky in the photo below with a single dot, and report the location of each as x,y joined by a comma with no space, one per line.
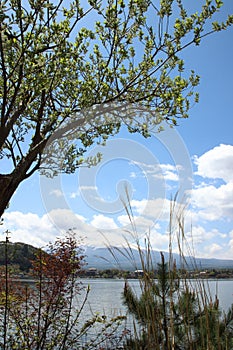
68,75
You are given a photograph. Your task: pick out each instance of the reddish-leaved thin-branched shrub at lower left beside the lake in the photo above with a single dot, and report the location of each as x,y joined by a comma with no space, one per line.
49,313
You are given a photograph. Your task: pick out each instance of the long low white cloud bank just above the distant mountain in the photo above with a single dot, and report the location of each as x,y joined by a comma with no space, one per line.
38,231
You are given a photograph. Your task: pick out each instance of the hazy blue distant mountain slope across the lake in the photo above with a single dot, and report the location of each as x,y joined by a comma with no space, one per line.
129,259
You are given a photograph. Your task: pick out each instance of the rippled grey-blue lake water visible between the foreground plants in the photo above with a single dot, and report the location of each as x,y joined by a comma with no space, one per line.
105,298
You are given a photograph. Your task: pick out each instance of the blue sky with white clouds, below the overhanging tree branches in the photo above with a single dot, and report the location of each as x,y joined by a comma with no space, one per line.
197,155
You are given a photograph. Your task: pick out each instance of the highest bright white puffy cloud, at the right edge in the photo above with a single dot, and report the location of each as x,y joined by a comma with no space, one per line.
217,163
